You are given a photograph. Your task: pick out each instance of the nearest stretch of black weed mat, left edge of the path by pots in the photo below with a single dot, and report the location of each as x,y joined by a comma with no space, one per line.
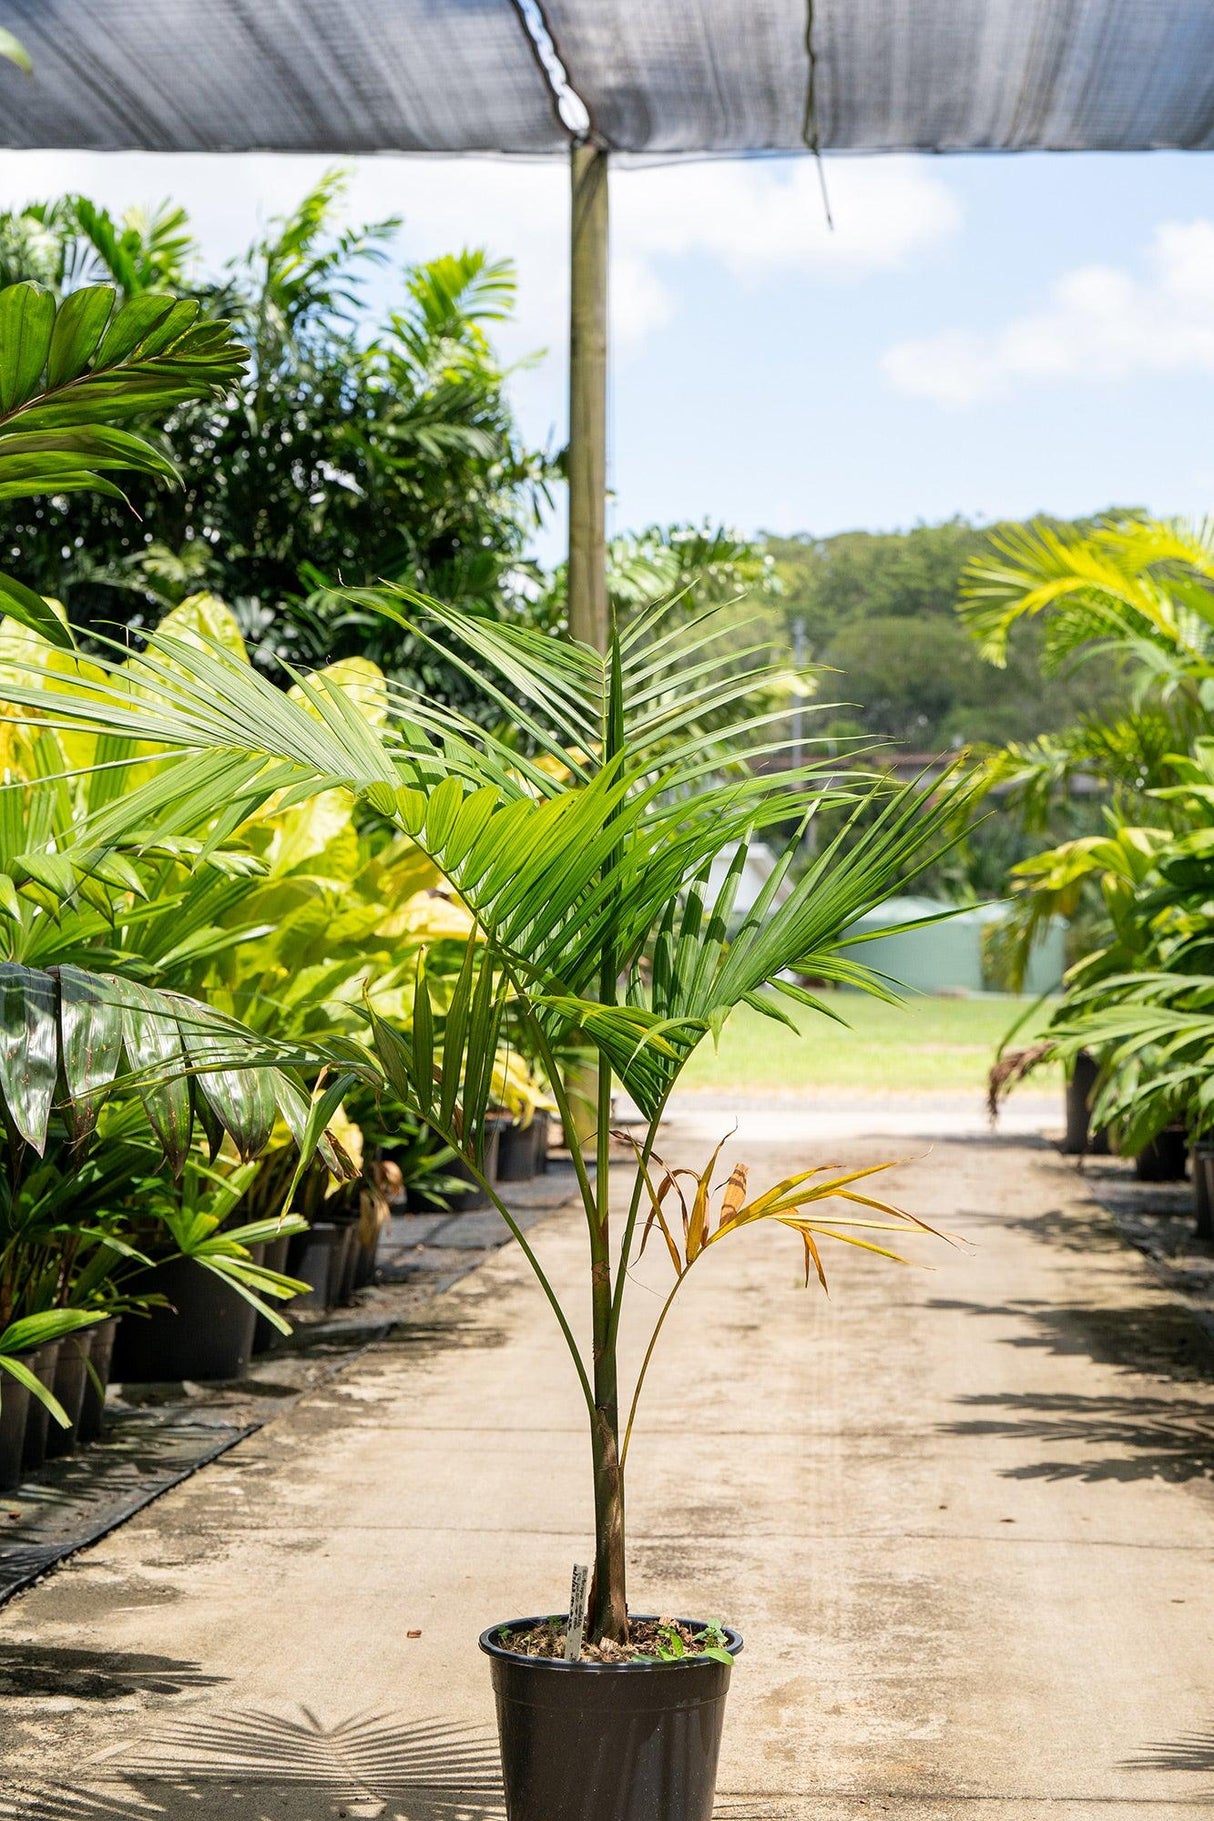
79,1500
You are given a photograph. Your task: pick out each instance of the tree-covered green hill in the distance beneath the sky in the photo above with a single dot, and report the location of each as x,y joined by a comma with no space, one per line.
880,607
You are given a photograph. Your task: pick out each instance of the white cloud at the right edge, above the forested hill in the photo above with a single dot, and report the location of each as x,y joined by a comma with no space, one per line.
1098,325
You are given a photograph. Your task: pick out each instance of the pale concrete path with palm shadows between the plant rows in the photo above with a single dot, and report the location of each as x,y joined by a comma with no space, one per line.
964,1518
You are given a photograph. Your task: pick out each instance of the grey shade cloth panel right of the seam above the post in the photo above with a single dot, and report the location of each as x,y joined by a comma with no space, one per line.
935,76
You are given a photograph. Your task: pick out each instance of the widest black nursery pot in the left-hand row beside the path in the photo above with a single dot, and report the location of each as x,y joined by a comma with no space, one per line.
205,1334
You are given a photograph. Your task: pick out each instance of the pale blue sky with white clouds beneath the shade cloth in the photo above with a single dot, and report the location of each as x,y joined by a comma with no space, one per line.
982,336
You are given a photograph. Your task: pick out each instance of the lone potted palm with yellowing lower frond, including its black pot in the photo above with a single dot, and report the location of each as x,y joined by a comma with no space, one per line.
583,844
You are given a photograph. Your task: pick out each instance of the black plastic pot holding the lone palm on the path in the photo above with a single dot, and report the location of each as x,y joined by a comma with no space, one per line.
609,1742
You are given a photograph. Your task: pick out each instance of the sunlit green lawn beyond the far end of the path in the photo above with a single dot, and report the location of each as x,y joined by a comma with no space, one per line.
922,1046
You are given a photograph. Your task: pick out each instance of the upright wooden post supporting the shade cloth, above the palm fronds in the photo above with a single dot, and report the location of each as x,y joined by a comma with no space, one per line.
589,331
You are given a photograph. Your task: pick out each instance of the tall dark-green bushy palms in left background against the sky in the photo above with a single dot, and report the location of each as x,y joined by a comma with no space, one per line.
359,445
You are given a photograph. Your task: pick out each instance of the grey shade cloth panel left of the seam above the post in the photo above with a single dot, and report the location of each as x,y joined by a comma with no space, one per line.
283,76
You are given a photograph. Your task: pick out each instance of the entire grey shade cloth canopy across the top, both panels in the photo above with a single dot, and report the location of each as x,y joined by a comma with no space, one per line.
656,76
